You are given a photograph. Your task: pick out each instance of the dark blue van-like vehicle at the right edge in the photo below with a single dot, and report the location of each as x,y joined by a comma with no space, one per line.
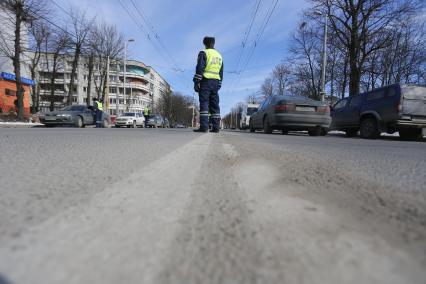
388,109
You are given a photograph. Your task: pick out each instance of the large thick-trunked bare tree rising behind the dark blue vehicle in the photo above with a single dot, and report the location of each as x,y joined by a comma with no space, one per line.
362,27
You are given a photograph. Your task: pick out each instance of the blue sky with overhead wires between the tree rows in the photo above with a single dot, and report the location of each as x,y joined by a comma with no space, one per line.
181,26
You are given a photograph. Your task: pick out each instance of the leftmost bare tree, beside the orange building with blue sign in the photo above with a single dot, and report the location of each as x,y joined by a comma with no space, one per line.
19,14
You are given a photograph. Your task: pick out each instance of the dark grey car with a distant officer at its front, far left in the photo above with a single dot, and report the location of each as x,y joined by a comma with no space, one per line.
77,115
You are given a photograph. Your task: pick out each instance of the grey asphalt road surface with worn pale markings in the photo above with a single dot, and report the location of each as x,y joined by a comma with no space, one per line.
172,206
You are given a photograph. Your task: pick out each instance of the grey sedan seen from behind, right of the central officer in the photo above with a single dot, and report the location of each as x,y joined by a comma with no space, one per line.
291,113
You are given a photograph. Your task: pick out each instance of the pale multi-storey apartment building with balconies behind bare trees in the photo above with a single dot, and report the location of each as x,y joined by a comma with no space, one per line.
142,87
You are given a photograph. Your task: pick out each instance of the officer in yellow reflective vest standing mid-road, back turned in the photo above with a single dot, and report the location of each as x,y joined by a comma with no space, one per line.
207,82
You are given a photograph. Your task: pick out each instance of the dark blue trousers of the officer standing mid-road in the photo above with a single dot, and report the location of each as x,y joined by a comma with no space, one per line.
209,103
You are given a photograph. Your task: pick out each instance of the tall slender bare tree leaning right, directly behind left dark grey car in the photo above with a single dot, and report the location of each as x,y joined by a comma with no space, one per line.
81,28
